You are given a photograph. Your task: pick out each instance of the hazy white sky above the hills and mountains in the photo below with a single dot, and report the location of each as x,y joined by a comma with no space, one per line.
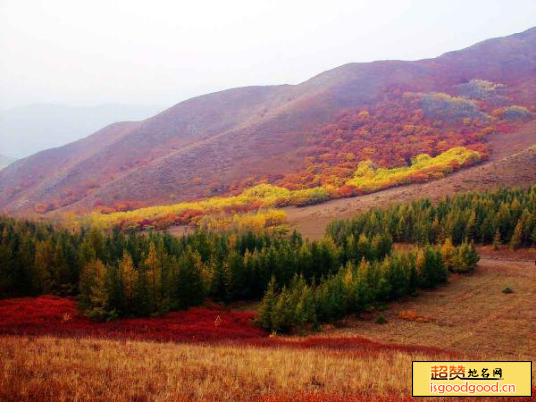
161,52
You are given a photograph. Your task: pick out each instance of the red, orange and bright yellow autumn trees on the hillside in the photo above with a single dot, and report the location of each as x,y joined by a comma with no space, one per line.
407,137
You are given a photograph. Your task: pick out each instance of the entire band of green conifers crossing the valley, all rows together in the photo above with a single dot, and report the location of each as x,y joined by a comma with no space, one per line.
300,283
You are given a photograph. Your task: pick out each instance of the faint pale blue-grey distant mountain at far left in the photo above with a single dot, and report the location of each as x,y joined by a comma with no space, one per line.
30,129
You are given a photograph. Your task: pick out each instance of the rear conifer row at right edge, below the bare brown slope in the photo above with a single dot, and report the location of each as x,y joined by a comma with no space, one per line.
506,216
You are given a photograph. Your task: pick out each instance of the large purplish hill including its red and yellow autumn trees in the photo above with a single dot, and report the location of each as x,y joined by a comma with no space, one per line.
311,135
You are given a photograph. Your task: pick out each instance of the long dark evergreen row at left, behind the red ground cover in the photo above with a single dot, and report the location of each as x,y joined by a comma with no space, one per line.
117,274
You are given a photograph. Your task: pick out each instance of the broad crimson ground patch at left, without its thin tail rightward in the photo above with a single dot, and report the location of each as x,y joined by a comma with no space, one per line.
50,315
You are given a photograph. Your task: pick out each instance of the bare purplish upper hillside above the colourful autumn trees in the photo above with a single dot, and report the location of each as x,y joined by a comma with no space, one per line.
205,145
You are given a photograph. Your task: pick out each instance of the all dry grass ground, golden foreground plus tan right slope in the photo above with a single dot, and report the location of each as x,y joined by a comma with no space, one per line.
470,318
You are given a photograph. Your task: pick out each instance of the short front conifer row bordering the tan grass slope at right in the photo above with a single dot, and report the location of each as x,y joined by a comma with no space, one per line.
354,288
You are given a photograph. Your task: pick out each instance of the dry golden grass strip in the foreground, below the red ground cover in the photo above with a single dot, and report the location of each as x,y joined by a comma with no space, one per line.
83,369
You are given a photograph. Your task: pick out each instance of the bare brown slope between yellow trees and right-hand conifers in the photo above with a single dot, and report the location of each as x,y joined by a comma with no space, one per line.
513,164
